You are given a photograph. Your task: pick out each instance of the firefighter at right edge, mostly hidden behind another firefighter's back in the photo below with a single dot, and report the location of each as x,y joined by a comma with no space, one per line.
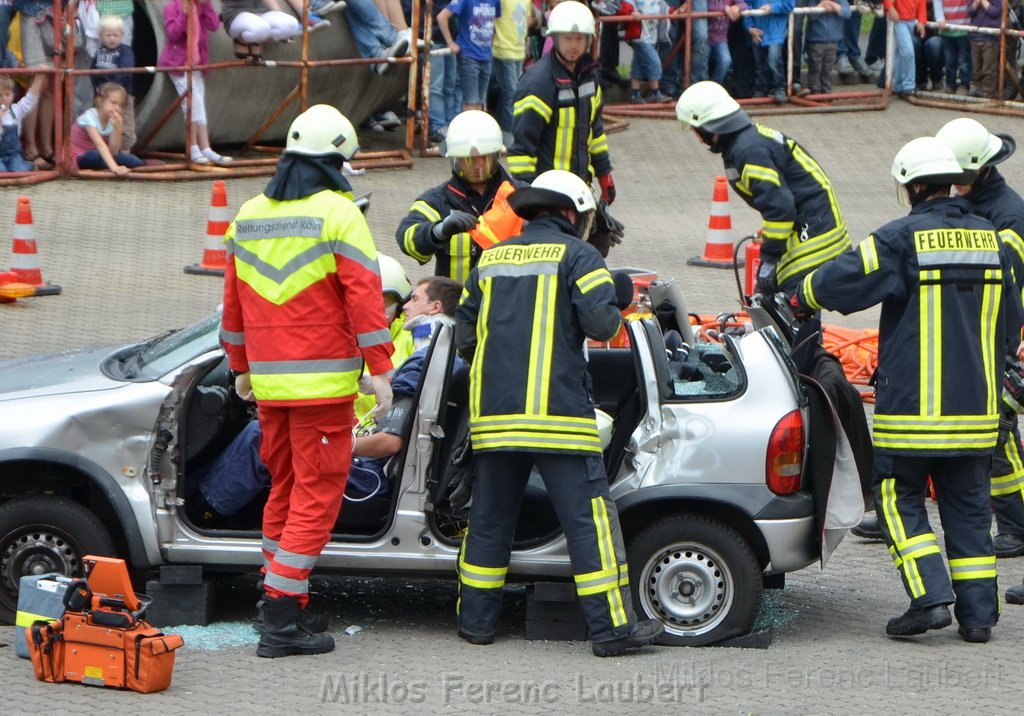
991,197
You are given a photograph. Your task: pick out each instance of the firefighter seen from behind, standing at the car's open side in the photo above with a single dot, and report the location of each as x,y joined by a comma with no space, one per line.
525,314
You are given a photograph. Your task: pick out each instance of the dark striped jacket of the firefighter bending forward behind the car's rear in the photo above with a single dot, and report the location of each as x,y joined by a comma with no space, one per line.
802,224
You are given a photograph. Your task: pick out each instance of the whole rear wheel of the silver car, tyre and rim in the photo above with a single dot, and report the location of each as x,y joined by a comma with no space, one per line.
698,576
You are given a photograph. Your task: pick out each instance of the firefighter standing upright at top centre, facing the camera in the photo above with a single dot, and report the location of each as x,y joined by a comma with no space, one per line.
558,111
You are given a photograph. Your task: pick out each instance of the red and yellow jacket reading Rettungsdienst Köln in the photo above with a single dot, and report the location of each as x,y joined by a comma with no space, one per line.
303,300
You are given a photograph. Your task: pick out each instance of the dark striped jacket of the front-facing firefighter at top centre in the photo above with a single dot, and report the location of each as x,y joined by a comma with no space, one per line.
557,121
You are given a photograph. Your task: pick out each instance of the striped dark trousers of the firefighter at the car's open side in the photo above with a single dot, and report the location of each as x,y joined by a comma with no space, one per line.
578,488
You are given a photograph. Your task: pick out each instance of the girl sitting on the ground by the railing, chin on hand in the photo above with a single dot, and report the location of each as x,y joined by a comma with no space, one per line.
96,137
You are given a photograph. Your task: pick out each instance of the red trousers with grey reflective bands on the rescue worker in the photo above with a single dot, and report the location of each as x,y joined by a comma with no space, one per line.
308,451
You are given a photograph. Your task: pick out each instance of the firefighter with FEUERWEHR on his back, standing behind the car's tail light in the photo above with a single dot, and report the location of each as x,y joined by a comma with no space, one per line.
949,303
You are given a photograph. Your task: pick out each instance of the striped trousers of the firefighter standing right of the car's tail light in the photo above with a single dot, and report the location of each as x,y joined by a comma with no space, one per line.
962,490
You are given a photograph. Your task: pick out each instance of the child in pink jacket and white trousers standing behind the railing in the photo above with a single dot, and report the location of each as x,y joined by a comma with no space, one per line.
176,54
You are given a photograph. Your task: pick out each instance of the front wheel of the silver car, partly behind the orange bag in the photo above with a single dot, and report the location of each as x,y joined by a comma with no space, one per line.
40,535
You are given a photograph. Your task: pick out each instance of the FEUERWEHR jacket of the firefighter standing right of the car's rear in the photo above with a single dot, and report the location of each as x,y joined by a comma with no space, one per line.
948,305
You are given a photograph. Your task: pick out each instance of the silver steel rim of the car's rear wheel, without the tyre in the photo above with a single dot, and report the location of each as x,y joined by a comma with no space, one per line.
689,587
